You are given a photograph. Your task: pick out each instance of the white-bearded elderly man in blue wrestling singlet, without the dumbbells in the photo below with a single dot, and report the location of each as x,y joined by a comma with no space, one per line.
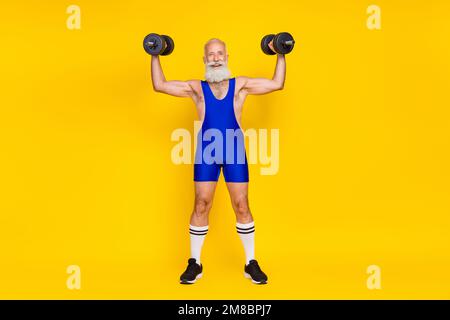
219,101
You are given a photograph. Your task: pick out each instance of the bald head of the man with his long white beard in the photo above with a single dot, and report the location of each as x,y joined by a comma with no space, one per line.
216,60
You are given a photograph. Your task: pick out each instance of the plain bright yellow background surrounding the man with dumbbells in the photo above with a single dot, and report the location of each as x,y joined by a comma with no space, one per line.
87,177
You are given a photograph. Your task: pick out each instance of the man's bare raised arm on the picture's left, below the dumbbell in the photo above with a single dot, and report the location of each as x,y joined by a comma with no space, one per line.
174,87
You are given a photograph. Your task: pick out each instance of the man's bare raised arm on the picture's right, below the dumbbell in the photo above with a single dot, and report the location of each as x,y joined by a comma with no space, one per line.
263,85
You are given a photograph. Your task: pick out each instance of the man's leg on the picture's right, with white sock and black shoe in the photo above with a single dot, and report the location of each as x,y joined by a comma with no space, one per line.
245,227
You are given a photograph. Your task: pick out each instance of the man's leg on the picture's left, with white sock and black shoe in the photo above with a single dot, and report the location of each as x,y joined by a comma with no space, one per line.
198,228
